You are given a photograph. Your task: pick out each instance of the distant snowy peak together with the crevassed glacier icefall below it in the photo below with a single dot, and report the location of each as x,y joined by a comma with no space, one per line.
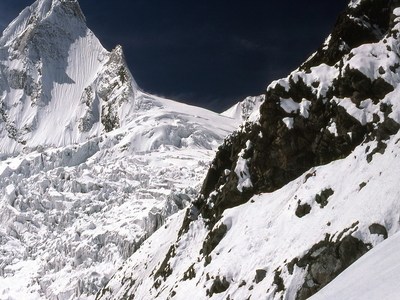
90,164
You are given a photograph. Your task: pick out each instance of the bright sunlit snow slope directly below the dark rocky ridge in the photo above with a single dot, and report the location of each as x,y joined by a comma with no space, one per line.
259,232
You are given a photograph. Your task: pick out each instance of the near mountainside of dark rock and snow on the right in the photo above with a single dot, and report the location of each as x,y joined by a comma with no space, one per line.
302,190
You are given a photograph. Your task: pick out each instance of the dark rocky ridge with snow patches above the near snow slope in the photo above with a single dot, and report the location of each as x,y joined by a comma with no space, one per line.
302,123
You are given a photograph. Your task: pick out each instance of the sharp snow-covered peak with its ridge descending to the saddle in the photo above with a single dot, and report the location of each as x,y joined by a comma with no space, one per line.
59,86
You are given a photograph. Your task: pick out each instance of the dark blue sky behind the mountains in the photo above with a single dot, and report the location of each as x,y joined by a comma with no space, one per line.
210,53
